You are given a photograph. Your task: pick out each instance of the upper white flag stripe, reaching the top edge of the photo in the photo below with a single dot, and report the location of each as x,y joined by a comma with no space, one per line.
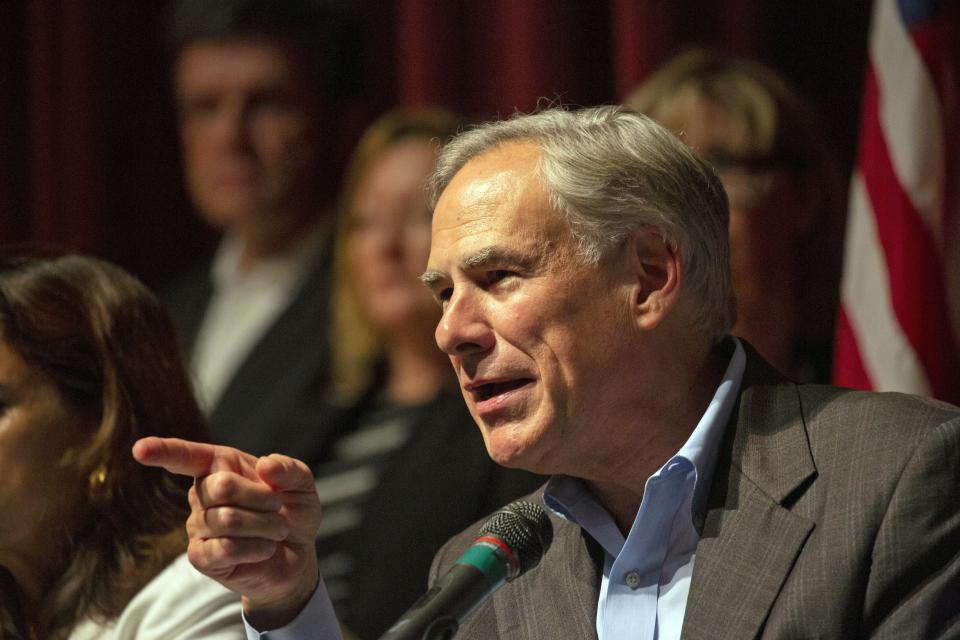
910,115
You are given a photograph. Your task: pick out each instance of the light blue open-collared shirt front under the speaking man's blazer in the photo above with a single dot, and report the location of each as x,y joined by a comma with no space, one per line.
646,577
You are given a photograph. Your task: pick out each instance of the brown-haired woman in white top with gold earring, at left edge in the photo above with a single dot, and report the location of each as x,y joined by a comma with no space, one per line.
92,543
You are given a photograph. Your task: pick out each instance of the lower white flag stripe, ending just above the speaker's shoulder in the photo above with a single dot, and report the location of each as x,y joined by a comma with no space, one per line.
887,356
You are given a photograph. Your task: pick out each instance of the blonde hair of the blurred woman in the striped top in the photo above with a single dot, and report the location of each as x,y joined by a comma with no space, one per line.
358,344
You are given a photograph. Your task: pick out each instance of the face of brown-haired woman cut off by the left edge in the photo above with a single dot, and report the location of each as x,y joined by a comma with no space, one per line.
38,493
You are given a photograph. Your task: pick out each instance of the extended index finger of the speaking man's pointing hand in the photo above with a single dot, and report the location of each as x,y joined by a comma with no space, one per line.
192,458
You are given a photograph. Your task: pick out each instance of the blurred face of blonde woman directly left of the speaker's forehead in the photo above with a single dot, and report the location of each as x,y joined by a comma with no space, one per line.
389,236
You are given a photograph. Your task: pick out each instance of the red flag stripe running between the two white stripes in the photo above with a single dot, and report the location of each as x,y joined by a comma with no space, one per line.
912,257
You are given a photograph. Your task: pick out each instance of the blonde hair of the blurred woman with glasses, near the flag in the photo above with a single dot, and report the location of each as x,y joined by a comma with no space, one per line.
773,127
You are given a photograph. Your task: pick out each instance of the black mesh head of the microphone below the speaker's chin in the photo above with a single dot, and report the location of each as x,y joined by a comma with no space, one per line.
525,528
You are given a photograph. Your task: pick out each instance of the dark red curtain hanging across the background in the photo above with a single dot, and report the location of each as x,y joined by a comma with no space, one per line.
88,156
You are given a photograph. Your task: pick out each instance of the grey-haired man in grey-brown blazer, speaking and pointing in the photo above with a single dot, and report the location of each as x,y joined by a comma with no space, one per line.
580,259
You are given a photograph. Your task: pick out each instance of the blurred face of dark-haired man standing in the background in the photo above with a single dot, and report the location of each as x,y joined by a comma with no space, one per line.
247,131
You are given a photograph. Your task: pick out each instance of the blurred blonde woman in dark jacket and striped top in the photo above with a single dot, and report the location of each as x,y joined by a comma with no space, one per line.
410,469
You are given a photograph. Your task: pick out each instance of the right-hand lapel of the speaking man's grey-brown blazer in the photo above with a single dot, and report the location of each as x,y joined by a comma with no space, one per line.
750,538
